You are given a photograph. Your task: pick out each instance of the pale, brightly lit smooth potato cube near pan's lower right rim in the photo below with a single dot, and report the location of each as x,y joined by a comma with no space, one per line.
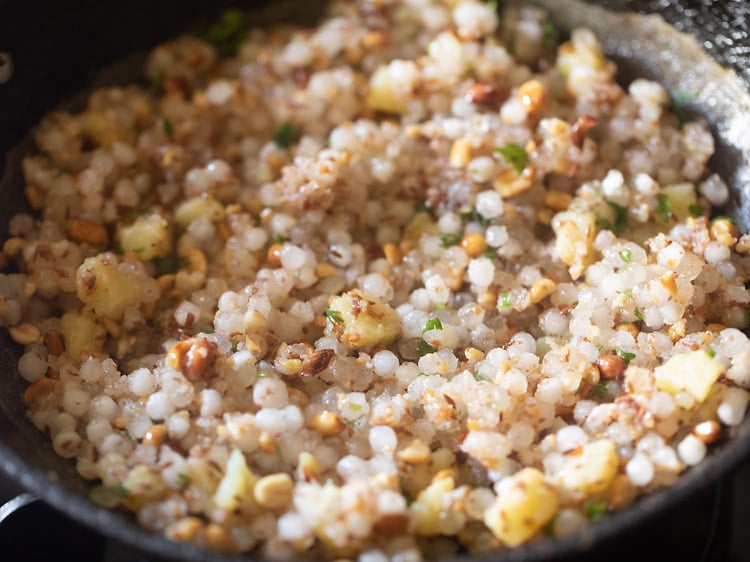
694,372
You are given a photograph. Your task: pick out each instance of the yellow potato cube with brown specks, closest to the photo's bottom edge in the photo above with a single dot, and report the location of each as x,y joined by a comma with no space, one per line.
523,507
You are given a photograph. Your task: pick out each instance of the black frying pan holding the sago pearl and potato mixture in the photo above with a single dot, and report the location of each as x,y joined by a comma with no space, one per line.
57,48
